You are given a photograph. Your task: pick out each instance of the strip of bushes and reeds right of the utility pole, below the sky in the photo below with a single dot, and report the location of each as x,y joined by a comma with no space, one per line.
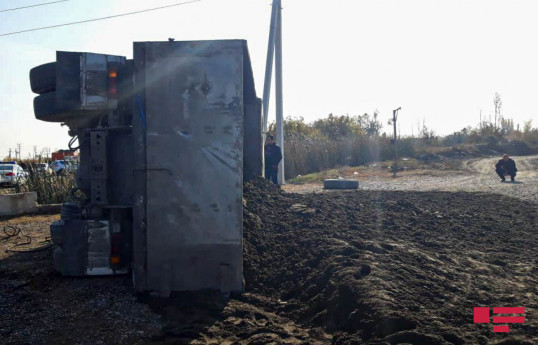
338,141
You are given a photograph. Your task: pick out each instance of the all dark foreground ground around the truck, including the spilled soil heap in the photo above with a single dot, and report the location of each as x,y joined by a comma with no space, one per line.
361,267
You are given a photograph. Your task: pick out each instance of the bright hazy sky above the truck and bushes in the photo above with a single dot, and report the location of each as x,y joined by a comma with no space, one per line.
441,61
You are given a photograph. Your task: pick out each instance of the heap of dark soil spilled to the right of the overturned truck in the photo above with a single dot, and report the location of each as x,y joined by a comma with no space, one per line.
393,267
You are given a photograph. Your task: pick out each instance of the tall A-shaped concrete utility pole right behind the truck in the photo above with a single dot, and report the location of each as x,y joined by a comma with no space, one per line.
275,45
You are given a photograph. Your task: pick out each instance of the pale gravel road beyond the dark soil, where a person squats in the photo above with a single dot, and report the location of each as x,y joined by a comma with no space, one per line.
476,175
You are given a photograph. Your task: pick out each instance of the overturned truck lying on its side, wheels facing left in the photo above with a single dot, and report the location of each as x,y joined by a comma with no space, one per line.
165,141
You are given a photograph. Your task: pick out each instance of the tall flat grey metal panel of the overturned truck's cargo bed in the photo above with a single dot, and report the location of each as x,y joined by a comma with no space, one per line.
194,123
